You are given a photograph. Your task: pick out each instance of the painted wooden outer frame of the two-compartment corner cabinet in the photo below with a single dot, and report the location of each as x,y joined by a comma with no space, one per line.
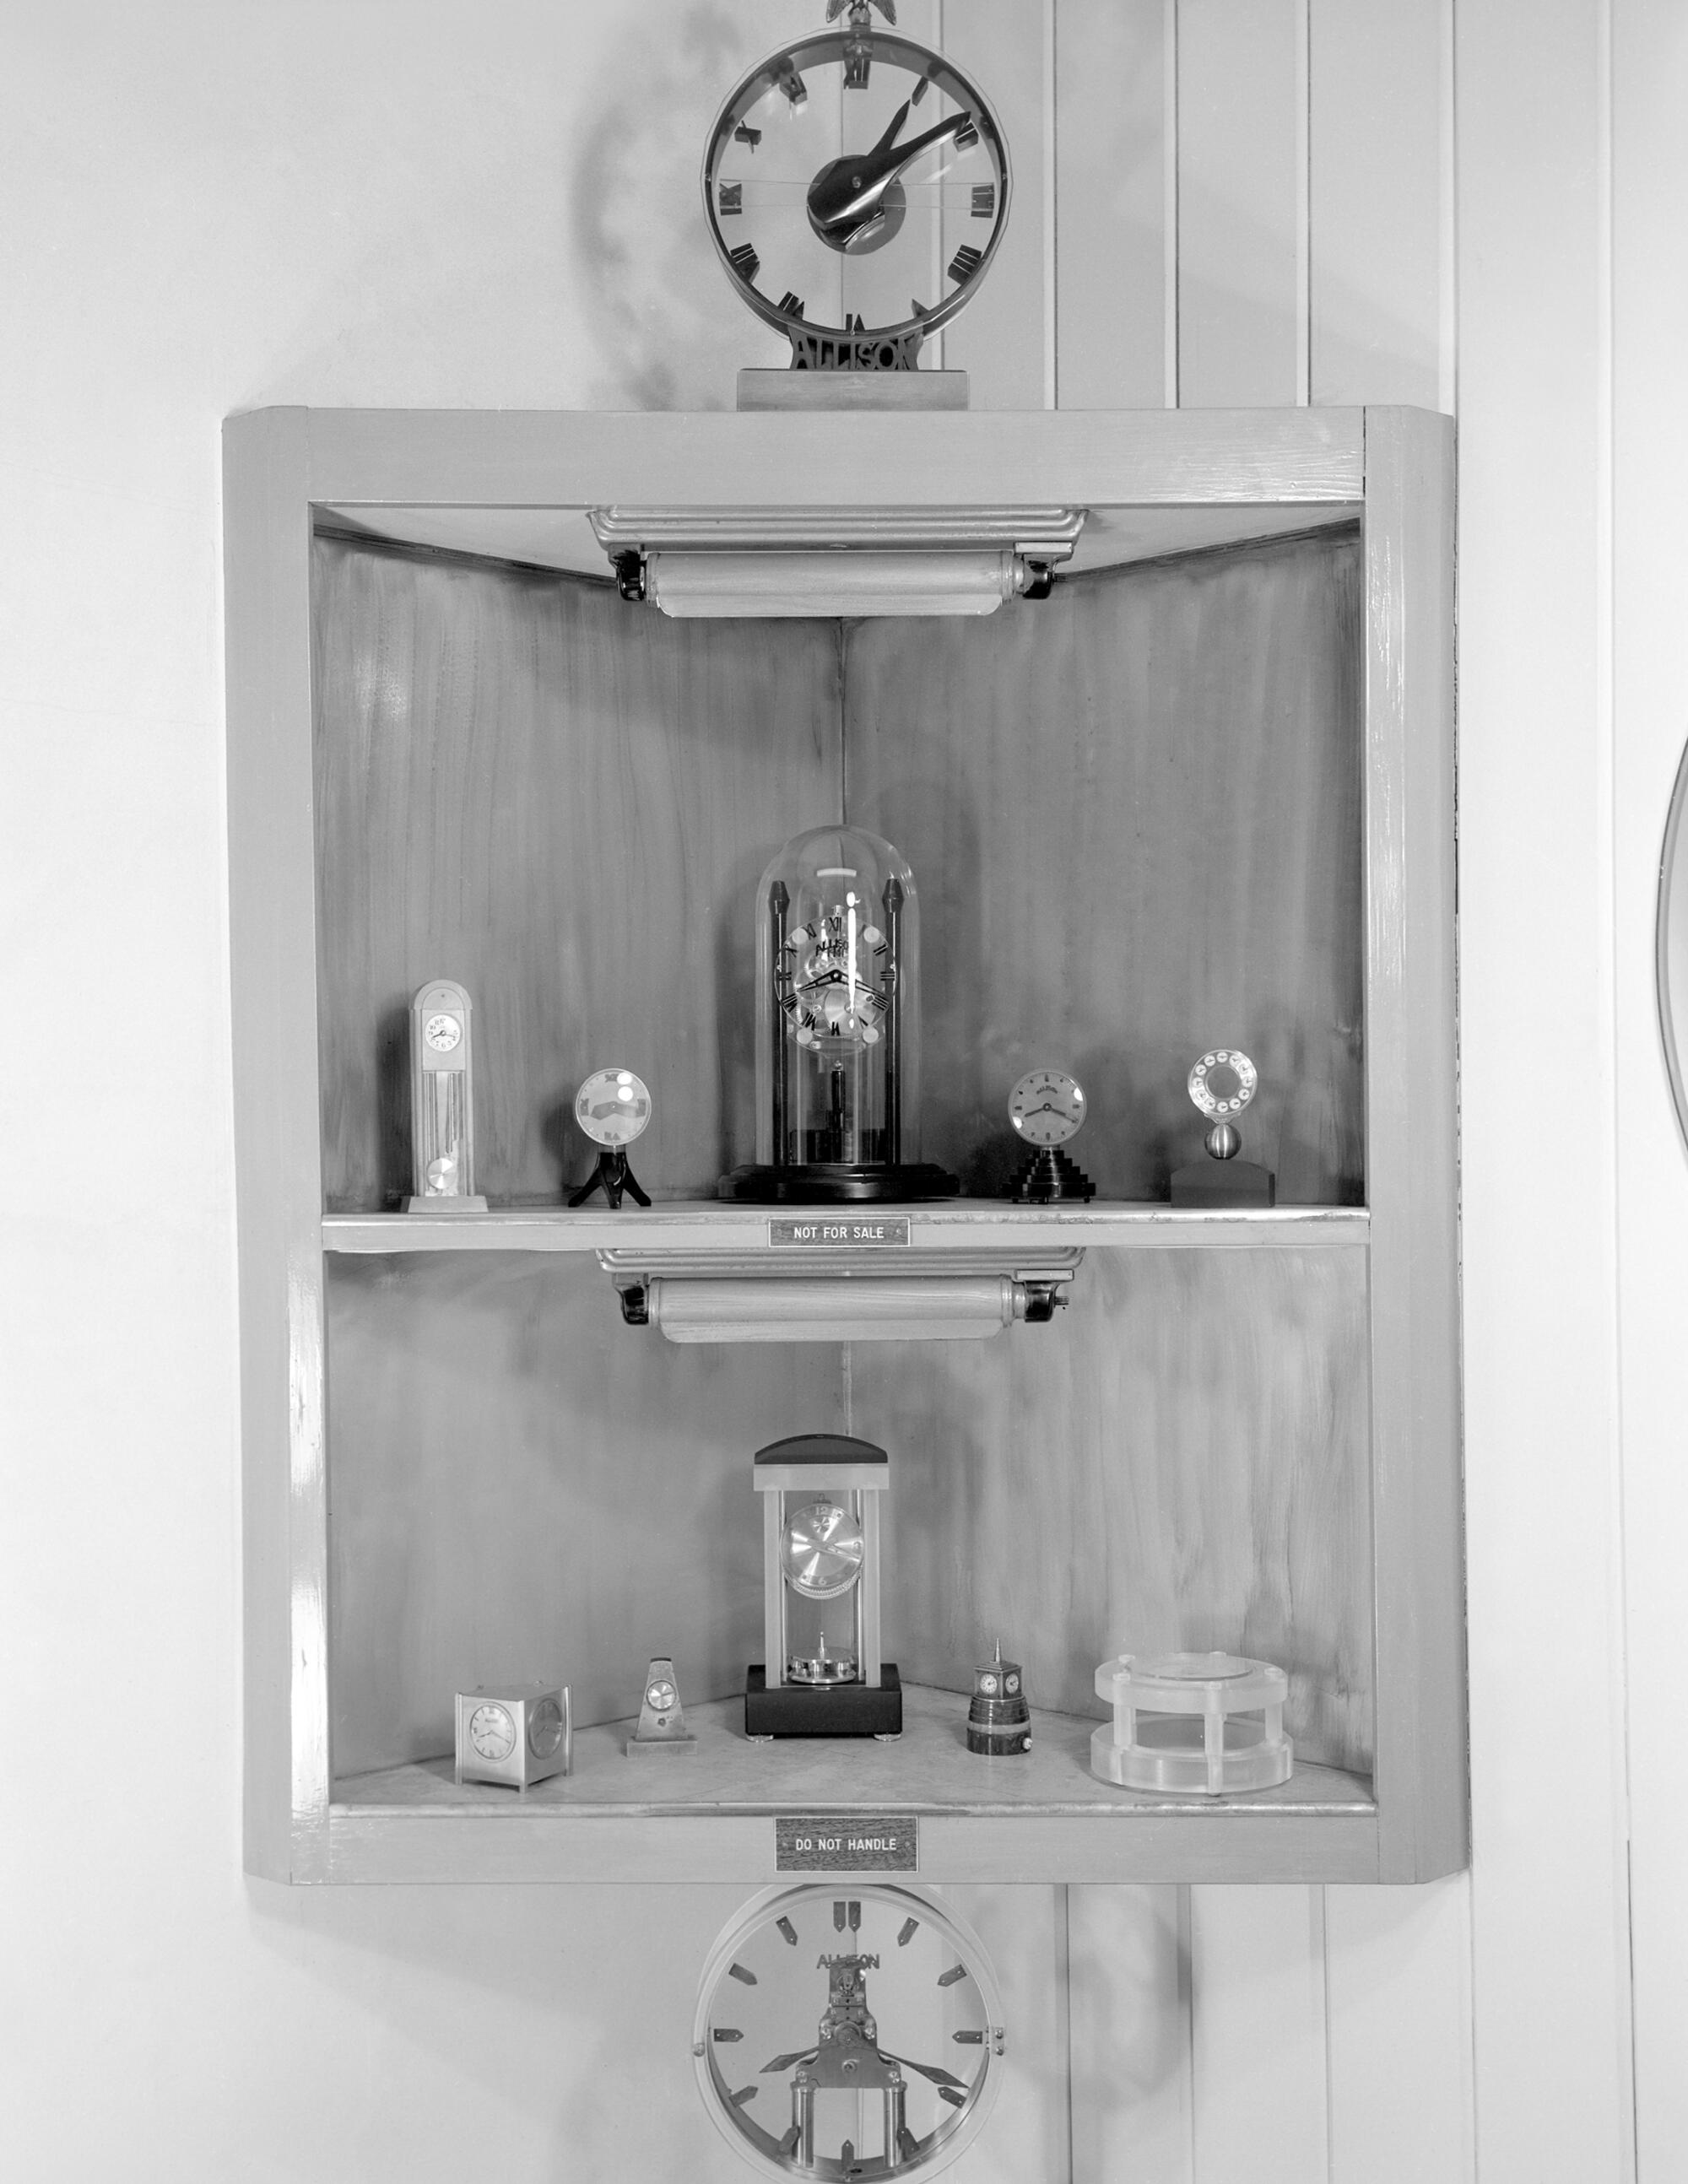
1399,468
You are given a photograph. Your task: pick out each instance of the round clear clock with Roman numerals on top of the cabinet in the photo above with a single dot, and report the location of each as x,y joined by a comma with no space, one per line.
857,187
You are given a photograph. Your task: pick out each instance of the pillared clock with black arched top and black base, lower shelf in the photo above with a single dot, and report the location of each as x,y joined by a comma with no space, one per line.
822,1672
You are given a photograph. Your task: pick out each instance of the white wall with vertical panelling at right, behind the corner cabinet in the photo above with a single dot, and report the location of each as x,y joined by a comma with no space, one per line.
412,202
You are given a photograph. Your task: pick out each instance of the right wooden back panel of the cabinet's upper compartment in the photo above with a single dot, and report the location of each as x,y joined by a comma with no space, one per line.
1134,820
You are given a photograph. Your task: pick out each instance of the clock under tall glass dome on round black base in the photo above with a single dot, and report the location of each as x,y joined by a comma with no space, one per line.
837,1028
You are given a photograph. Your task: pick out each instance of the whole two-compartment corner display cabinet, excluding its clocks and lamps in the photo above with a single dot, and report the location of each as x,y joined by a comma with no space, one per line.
1200,794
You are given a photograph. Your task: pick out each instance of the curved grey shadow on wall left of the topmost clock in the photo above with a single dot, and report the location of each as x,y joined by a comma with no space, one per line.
643,248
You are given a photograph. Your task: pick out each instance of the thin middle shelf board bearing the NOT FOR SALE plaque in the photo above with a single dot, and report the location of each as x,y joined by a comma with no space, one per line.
960,1226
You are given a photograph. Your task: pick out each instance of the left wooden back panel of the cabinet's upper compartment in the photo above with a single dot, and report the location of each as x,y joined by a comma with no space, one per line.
562,803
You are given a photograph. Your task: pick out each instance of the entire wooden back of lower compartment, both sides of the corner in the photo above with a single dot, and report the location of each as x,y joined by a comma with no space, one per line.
525,1488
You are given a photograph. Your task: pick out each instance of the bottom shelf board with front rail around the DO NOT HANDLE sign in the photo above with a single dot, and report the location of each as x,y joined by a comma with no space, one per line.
711,1816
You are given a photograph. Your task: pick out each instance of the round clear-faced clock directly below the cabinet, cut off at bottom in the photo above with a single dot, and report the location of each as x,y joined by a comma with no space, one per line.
848,2032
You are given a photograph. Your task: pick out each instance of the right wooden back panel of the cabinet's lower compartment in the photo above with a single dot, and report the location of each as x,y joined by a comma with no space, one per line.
1178,1464
